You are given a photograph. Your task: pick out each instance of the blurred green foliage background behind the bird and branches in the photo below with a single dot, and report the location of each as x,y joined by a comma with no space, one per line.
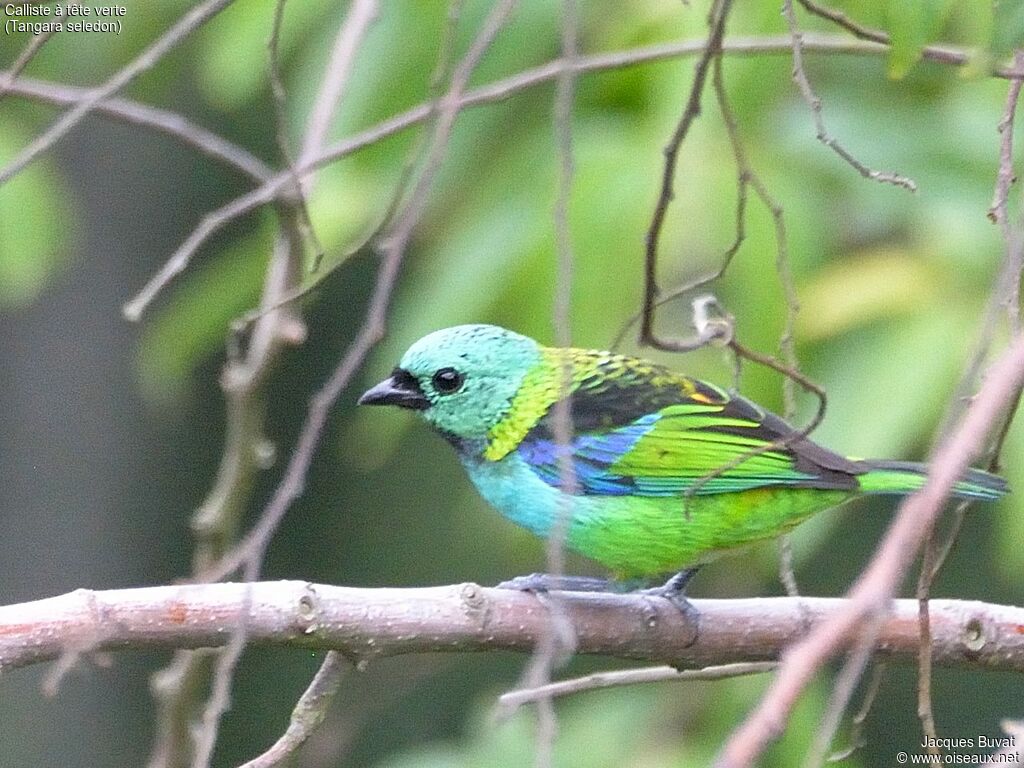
112,433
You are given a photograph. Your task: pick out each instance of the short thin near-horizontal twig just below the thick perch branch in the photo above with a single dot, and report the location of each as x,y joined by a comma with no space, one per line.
511,702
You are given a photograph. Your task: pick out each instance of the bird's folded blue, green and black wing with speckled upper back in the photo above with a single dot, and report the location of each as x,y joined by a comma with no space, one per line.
641,430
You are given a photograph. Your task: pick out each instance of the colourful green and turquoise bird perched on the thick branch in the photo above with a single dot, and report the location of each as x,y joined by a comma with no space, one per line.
666,473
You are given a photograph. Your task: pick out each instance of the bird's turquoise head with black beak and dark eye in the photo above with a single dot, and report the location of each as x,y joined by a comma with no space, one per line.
462,379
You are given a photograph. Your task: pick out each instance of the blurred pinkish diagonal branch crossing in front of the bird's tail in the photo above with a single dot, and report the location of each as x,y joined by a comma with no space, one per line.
874,591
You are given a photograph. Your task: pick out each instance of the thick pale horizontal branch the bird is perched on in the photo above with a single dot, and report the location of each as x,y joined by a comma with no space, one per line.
367,623
